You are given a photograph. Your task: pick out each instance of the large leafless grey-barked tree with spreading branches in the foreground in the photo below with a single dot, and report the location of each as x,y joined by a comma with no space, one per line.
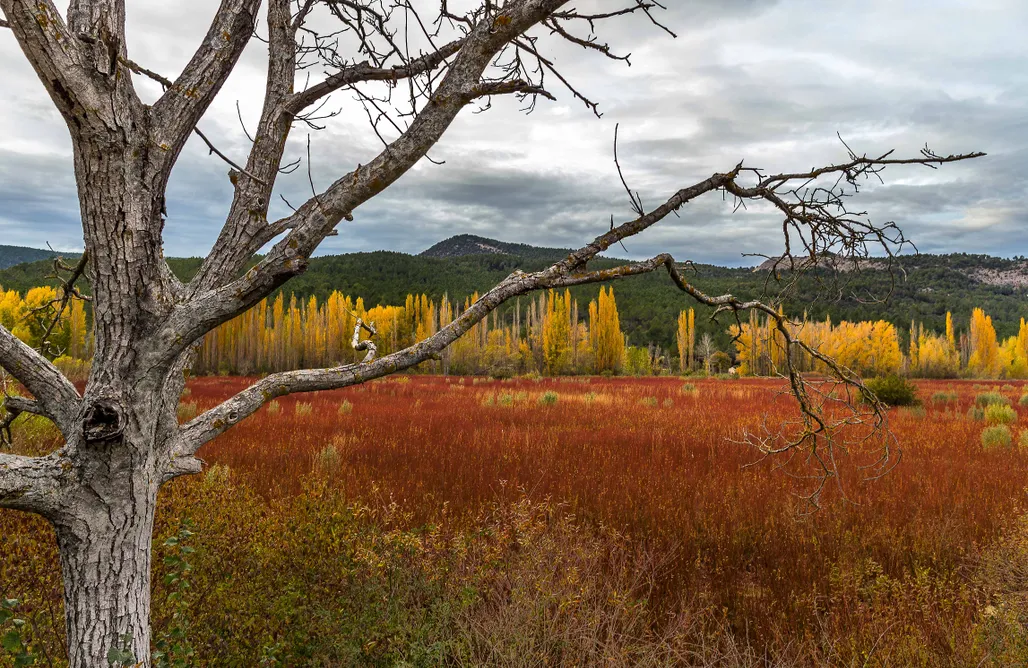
414,73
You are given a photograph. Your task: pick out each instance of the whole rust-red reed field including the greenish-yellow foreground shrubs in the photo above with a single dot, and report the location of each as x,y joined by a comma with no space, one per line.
573,522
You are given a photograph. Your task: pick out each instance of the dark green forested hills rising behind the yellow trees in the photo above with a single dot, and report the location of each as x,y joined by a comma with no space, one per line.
924,287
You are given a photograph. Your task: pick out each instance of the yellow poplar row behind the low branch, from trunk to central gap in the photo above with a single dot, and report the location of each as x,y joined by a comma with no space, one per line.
545,335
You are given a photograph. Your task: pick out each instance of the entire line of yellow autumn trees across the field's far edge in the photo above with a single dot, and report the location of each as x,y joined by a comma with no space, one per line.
544,335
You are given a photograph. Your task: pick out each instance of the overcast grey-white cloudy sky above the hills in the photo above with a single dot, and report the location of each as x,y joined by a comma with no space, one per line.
768,83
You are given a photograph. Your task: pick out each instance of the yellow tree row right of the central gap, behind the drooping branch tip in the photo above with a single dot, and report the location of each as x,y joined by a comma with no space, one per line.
873,349
